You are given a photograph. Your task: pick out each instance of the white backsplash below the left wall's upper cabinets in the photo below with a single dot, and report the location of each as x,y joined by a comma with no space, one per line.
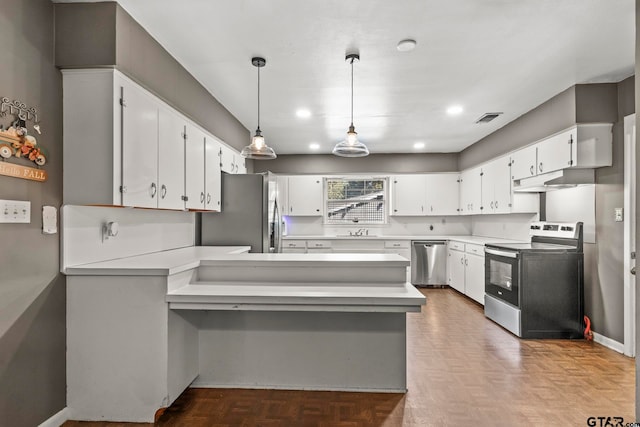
141,231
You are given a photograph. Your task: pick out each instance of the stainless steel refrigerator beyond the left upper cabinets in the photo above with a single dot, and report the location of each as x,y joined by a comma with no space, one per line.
249,216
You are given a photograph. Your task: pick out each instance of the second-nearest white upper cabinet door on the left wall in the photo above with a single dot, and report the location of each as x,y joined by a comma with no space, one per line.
171,128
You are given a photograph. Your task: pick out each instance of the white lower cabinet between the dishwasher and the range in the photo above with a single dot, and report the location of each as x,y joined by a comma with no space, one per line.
466,269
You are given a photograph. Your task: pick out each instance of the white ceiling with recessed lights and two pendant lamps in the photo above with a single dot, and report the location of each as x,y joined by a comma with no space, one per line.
486,55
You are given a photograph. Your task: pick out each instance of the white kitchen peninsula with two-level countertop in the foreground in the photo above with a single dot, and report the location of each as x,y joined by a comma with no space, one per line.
141,329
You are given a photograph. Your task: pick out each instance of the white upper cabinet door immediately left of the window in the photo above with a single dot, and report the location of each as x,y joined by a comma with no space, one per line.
305,197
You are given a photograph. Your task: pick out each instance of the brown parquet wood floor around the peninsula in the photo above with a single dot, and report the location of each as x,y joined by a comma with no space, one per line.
463,369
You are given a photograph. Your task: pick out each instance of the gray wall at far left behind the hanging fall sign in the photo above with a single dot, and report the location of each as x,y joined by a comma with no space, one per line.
32,292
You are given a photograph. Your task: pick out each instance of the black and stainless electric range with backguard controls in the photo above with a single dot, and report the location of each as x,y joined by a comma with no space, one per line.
535,289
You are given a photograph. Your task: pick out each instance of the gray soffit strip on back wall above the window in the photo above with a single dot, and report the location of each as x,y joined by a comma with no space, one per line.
385,163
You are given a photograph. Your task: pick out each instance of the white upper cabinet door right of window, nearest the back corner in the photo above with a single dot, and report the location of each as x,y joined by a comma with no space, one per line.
442,194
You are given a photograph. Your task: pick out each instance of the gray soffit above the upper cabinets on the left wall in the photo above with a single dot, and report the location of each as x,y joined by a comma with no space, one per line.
103,34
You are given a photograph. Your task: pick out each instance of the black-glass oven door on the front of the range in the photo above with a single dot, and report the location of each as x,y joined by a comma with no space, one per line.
501,274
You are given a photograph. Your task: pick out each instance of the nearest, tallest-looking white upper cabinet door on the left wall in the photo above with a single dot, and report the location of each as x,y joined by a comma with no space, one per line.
139,146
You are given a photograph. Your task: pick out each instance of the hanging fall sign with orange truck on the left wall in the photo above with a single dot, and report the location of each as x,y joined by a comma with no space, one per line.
17,143
